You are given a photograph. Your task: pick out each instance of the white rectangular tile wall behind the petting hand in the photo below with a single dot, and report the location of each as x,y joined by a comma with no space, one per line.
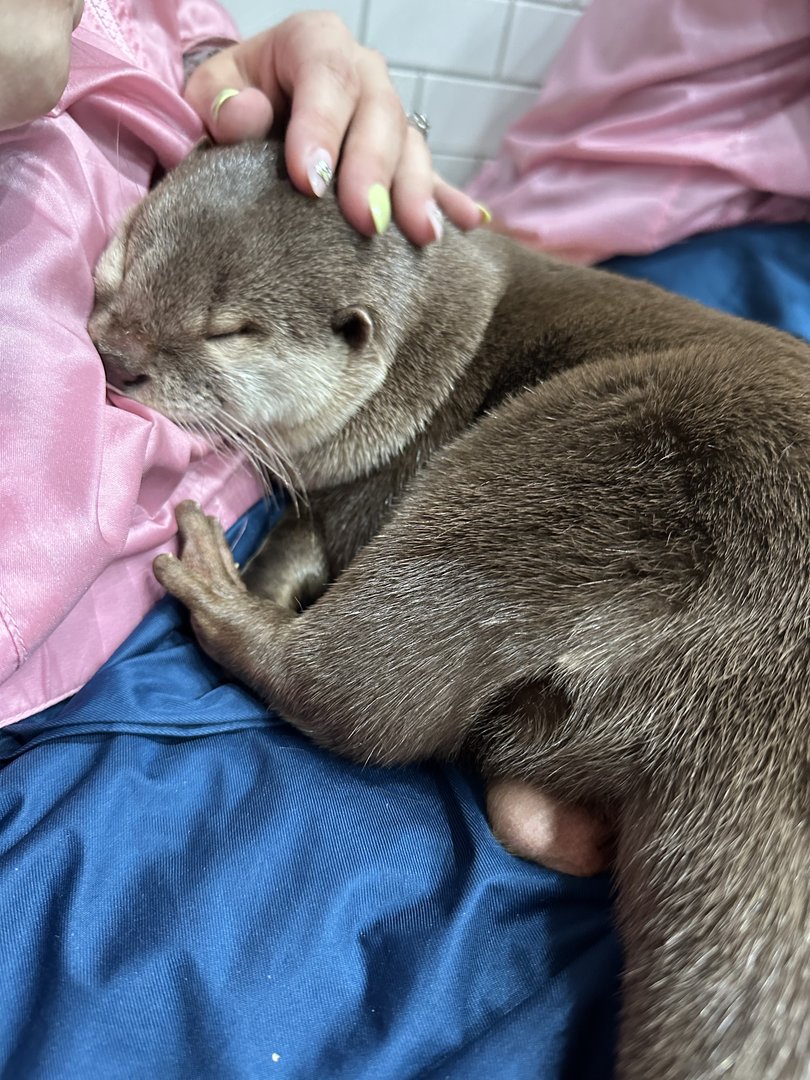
471,66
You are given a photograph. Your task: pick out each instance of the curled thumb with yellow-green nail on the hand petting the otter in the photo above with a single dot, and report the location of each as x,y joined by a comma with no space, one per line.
231,105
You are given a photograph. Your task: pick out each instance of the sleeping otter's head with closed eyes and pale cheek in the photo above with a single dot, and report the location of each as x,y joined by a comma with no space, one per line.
241,309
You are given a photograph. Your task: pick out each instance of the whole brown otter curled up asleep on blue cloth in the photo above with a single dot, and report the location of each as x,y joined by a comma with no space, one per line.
557,521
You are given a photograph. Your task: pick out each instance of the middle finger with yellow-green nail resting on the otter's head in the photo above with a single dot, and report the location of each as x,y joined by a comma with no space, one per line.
373,150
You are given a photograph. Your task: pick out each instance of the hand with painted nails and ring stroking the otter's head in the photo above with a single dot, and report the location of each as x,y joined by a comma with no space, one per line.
342,105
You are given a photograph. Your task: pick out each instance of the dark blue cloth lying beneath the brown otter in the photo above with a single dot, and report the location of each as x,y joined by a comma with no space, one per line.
191,890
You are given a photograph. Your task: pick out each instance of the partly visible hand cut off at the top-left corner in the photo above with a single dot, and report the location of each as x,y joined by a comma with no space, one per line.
35,57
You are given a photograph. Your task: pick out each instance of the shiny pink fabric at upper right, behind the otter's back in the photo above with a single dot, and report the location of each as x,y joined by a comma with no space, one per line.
659,120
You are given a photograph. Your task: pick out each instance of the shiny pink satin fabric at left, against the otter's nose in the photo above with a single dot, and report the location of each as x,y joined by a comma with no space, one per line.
88,488
